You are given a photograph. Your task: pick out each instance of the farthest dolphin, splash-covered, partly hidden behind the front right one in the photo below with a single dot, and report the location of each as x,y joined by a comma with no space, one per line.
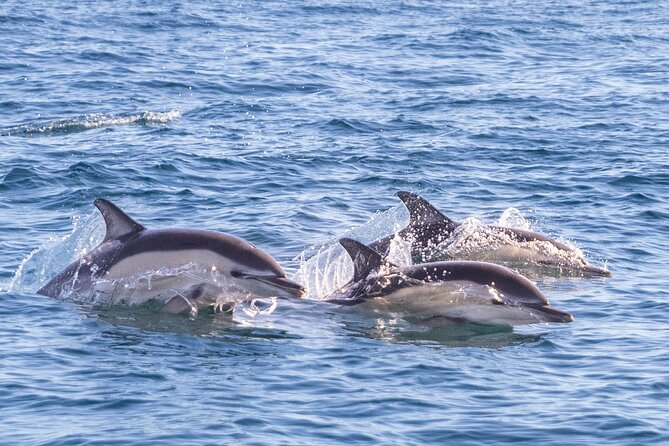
429,232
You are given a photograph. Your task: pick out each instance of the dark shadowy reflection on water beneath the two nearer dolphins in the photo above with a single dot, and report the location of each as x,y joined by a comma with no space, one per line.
436,330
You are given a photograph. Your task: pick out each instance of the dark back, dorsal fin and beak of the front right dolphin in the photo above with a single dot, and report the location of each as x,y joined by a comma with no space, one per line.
375,277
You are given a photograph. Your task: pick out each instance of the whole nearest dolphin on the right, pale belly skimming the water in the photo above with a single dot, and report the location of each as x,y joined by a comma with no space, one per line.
477,292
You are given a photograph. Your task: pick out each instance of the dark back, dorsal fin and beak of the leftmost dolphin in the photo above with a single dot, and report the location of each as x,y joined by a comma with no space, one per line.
126,238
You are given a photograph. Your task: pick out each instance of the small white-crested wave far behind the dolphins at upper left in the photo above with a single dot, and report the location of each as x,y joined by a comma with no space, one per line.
90,121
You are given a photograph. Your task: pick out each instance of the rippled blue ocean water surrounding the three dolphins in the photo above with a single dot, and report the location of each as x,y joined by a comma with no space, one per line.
290,124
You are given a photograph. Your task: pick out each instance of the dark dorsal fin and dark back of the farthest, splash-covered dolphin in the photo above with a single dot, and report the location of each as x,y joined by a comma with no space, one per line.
428,227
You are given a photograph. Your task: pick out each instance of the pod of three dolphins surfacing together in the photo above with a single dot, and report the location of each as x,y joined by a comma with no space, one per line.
231,269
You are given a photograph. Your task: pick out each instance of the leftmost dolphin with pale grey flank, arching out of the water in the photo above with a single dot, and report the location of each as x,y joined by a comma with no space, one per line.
130,250
